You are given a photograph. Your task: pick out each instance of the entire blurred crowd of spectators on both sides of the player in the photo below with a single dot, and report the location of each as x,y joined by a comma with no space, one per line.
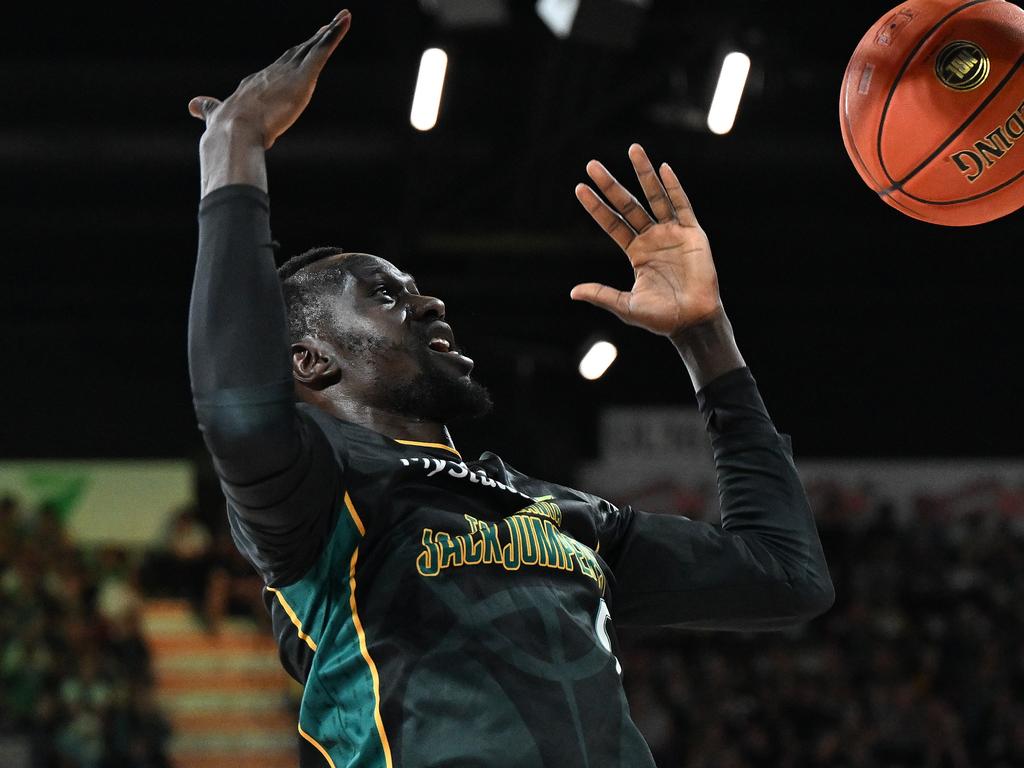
920,664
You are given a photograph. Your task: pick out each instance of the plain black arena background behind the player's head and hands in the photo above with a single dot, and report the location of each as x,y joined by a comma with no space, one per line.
872,334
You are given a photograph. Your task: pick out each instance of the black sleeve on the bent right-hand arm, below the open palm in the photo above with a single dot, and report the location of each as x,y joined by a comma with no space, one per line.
763,568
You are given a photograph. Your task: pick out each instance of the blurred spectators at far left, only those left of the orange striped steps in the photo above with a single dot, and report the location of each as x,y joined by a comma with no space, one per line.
76,682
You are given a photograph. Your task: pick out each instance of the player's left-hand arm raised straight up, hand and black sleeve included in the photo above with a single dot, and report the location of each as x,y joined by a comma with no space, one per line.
276,466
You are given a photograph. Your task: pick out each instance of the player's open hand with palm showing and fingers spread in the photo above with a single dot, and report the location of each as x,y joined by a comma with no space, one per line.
676,286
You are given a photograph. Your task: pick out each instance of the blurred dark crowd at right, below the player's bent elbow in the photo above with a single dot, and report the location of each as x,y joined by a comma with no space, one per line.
920,664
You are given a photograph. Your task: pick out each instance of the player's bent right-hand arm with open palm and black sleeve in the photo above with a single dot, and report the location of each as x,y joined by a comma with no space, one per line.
764,567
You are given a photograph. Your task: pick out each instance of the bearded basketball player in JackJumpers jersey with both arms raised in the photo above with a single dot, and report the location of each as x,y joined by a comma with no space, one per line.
443,612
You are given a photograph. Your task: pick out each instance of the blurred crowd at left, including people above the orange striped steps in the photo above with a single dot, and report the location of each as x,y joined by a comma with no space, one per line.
76,677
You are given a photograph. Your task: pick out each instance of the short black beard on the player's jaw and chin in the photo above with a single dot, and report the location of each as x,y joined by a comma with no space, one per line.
435,394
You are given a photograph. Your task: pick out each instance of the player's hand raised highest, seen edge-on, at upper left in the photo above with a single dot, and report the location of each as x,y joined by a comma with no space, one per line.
270,101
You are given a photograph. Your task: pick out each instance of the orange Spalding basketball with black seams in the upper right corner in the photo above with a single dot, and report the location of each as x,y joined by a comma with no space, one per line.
932,109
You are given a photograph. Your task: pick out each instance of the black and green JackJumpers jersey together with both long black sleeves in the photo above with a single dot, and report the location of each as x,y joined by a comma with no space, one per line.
450,613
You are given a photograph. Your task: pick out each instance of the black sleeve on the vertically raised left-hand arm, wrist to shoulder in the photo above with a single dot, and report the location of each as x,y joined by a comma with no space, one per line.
277,468
